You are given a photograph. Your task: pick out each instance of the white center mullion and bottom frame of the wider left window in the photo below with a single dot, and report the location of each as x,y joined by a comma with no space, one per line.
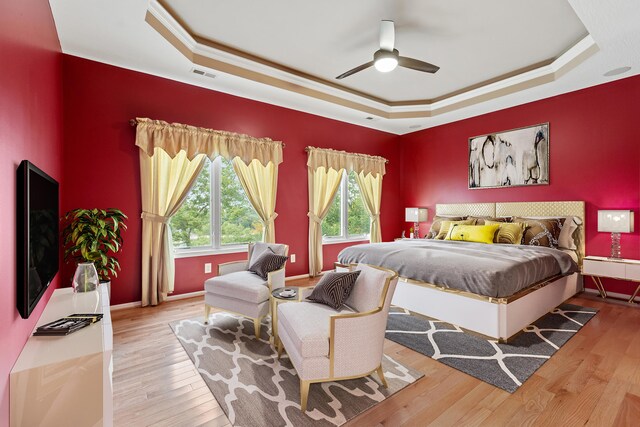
215,203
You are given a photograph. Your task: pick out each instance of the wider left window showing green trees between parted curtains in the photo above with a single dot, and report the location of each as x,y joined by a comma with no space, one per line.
216,215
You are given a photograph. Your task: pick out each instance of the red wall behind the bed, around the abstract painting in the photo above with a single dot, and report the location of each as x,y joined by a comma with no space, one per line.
594,156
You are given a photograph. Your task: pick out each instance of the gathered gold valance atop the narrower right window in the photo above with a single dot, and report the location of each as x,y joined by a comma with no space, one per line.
334,159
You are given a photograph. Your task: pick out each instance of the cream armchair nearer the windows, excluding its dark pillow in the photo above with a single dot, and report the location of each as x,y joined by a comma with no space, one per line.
240,291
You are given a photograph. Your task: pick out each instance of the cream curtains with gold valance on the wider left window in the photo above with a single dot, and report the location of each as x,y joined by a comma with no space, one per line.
171,158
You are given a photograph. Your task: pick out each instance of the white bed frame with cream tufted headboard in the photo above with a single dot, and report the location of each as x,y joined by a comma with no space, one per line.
498,318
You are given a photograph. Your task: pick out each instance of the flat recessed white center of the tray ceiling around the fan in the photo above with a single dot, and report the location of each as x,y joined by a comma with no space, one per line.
472,41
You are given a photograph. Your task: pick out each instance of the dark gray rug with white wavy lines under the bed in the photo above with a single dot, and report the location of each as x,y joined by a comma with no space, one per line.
506,366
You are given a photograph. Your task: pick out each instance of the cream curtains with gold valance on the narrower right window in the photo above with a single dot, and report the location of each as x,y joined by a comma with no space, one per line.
325,169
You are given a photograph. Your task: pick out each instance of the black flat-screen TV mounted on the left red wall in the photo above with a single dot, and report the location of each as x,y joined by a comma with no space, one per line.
37,235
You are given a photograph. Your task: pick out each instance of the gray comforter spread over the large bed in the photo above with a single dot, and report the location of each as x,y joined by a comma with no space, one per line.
489,270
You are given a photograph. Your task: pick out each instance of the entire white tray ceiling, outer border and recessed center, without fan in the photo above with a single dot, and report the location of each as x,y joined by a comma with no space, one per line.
471,41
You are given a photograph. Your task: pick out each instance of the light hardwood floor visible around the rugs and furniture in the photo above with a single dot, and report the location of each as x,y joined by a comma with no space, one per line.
594,379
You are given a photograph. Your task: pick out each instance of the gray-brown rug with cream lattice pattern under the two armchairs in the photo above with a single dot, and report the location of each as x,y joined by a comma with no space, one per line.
254,388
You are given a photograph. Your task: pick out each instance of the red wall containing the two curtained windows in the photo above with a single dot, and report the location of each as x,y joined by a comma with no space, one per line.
101,160
